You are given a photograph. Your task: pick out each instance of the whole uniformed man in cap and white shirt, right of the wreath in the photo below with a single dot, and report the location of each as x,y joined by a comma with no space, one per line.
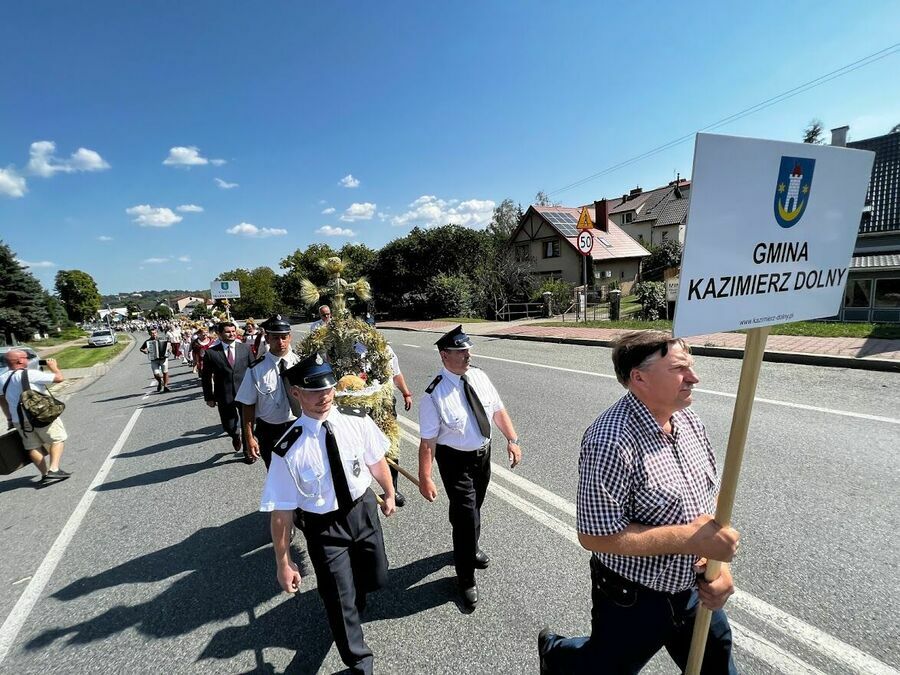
454,423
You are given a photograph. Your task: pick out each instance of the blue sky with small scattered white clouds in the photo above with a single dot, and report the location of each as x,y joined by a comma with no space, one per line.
113,114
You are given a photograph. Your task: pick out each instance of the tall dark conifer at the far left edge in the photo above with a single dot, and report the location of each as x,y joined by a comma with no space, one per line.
23,301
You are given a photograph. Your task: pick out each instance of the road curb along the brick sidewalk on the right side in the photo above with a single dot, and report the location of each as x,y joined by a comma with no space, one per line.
800,358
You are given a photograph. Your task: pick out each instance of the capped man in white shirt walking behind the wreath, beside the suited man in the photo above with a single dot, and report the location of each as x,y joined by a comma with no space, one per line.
267,411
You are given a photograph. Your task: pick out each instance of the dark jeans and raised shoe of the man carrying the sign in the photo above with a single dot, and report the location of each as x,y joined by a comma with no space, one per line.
630,623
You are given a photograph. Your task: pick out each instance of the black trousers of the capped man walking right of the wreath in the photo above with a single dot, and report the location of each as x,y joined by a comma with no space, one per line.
465,476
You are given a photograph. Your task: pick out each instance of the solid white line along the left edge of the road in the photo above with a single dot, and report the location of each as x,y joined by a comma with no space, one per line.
32,593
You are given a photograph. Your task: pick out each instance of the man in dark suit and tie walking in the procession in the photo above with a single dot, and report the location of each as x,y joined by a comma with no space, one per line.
224,366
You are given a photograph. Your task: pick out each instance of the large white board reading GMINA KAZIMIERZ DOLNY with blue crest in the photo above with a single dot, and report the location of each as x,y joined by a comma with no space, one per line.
770,232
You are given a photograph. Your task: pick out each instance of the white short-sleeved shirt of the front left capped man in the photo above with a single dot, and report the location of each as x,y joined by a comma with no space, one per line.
302,478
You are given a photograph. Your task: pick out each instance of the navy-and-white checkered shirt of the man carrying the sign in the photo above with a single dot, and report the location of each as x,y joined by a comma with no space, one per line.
631,471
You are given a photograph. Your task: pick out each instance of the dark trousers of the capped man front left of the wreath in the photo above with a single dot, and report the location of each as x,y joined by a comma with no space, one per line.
347,552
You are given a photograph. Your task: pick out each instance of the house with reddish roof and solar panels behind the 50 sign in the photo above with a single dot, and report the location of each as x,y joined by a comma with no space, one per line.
547,235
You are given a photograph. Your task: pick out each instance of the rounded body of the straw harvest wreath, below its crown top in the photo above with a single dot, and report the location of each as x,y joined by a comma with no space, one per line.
364,375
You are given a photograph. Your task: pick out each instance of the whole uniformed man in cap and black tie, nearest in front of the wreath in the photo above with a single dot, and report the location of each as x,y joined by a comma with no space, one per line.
323,466
